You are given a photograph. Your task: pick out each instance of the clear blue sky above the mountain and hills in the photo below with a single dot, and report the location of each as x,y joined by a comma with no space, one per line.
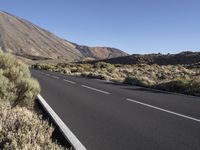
135,26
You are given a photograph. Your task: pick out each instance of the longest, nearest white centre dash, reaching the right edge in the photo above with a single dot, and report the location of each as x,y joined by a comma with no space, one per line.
164,110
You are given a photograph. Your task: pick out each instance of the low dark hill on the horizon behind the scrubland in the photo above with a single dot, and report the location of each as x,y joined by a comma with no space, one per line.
169,59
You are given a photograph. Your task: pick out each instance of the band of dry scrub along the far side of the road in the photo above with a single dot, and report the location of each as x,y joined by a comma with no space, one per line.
176,78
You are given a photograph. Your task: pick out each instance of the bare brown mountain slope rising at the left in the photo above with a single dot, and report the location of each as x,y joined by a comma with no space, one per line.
24,39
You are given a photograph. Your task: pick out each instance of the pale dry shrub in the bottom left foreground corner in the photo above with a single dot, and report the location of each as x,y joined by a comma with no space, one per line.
21,128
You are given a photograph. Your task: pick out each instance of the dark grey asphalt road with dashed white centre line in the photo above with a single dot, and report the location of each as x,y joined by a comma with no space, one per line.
107,116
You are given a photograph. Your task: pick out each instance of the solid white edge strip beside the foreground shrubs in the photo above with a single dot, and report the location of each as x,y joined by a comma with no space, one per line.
65,130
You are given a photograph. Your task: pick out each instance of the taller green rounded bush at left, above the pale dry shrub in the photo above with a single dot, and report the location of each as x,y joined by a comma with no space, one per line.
16,84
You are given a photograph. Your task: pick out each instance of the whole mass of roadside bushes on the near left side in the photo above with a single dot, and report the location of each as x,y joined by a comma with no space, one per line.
21,127
